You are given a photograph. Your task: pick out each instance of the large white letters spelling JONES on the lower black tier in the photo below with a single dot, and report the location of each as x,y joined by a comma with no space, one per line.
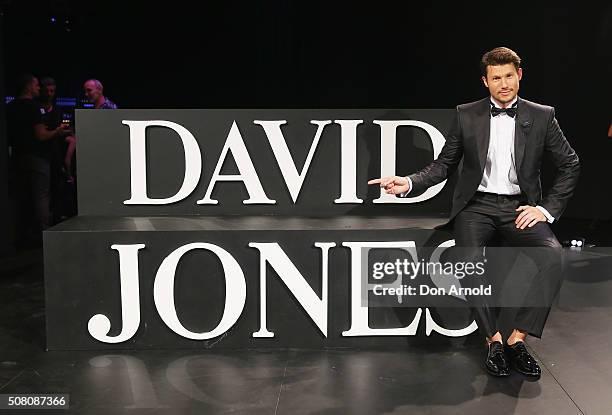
235,291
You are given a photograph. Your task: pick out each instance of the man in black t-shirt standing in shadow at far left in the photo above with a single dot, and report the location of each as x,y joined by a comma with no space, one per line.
31,150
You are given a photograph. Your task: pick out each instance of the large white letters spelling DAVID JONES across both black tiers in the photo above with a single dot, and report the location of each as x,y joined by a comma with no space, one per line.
99,325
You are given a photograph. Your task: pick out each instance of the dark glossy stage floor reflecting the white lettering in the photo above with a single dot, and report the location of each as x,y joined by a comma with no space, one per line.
574,353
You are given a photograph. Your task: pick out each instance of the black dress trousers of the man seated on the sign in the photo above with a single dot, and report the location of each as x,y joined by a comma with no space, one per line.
489,220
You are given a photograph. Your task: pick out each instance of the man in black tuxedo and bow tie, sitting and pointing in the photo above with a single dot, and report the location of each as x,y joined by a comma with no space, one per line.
502,140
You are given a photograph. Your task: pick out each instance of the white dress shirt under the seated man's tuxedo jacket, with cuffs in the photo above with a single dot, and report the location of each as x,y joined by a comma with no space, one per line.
499,176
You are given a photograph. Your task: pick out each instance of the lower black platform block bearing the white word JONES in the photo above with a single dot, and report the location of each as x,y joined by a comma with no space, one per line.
180,266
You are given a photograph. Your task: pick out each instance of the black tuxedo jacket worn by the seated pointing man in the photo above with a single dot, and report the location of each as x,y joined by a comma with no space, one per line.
537,133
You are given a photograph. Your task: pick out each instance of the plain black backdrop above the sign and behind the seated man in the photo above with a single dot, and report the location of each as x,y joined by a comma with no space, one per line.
311,54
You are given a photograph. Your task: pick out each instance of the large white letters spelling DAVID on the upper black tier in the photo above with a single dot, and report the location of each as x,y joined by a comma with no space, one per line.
293,178
